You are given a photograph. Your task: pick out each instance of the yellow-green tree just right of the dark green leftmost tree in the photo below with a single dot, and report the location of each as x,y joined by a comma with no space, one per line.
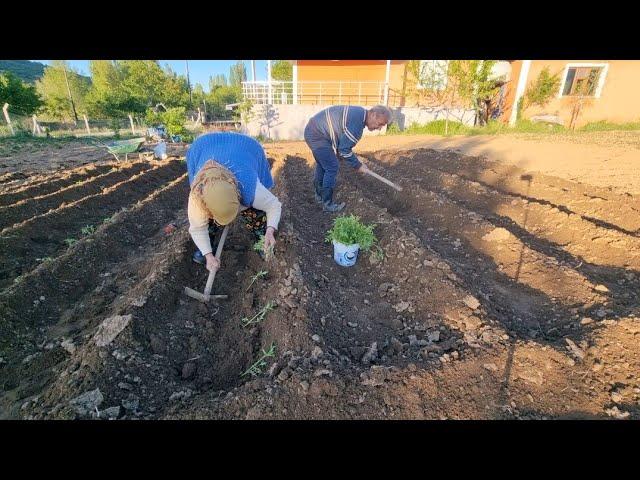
63,90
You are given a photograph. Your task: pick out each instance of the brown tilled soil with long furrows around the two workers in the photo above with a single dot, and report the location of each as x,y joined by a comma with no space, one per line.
494,293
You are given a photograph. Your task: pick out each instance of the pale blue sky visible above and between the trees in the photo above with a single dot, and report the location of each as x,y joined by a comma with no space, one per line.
199,70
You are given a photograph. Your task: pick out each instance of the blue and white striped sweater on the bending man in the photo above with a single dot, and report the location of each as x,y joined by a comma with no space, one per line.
342,126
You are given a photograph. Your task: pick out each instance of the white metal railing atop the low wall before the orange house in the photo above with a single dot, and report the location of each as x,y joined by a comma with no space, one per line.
318,93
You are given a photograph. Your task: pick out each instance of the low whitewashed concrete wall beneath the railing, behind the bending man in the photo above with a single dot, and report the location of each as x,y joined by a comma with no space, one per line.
287,122
